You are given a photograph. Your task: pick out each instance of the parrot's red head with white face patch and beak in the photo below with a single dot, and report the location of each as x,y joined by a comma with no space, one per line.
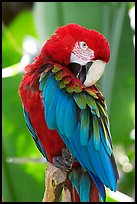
85,52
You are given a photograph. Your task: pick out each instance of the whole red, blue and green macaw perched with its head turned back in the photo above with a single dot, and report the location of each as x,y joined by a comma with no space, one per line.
66,113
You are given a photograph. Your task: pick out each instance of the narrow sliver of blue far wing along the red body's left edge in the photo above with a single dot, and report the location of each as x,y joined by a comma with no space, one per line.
34,135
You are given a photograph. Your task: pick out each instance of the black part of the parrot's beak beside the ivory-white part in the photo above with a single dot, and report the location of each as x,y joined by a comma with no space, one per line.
80,71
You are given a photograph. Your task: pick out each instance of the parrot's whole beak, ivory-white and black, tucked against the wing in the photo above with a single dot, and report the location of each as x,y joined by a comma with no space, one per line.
89,73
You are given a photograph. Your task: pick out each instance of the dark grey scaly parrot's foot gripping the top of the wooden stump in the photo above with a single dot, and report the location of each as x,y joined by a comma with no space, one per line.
65,161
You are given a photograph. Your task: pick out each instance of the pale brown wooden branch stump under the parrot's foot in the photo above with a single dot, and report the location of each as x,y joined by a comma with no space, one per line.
54,181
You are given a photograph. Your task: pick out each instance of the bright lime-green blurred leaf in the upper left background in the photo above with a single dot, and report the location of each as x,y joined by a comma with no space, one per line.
13,35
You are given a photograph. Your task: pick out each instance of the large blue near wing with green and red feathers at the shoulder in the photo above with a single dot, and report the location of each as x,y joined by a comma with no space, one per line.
81,120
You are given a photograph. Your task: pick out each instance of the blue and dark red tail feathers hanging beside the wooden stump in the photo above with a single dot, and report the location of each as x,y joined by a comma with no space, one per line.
82,187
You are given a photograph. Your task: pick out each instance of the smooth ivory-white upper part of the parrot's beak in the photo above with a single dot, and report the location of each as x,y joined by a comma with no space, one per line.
95,72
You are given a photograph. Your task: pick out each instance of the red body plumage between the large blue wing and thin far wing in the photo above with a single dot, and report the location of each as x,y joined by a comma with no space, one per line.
32,100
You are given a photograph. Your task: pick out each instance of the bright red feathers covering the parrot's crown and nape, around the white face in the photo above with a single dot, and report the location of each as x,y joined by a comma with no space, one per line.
60,45
